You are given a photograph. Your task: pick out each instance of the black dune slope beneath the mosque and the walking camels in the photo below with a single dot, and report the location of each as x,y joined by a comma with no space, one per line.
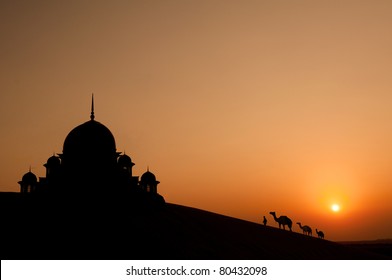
117,231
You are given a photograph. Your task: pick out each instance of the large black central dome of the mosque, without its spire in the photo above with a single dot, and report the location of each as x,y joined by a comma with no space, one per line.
89,138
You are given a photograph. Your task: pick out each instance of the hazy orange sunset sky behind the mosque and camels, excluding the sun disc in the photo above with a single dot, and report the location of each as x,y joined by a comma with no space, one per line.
238,107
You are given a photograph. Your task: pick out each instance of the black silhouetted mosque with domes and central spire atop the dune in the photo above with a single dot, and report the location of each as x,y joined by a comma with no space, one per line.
91,167
